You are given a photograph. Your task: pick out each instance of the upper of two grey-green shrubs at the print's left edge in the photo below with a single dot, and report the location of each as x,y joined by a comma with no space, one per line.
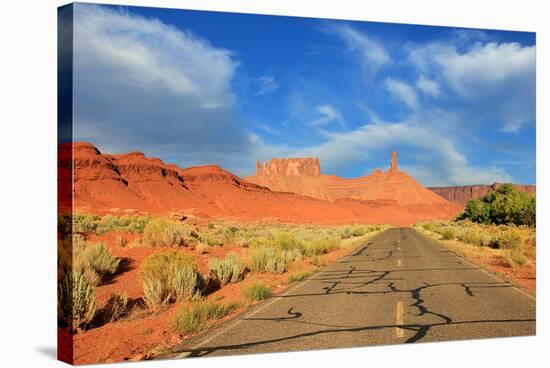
94,261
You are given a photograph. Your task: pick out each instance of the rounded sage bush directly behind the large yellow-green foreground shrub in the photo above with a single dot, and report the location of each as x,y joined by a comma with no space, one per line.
164,233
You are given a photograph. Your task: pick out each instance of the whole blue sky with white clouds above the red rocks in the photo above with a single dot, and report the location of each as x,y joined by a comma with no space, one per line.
195,88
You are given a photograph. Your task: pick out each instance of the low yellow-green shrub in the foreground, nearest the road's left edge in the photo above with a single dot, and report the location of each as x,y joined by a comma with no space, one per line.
195,317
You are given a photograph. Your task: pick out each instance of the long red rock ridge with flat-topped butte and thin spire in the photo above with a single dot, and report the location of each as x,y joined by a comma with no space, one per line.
284,190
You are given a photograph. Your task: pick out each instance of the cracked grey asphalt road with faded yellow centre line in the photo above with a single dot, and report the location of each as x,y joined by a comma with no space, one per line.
400,287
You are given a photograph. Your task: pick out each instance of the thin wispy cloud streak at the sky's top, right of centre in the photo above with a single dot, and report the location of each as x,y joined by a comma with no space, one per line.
371,55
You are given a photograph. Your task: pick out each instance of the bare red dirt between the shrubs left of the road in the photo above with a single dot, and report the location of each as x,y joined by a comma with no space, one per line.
135,338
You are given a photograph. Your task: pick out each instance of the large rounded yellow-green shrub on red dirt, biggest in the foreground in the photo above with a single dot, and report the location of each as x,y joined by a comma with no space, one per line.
167,277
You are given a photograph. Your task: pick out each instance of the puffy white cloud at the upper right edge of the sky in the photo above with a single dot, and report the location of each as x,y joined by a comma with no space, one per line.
493,81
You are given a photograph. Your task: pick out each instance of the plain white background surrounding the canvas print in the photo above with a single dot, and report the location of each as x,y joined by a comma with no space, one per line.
28,136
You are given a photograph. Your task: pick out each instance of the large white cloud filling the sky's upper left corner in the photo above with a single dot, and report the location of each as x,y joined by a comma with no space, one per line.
146,53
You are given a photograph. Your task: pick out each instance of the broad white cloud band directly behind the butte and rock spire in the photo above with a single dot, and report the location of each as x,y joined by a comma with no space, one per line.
436,160
